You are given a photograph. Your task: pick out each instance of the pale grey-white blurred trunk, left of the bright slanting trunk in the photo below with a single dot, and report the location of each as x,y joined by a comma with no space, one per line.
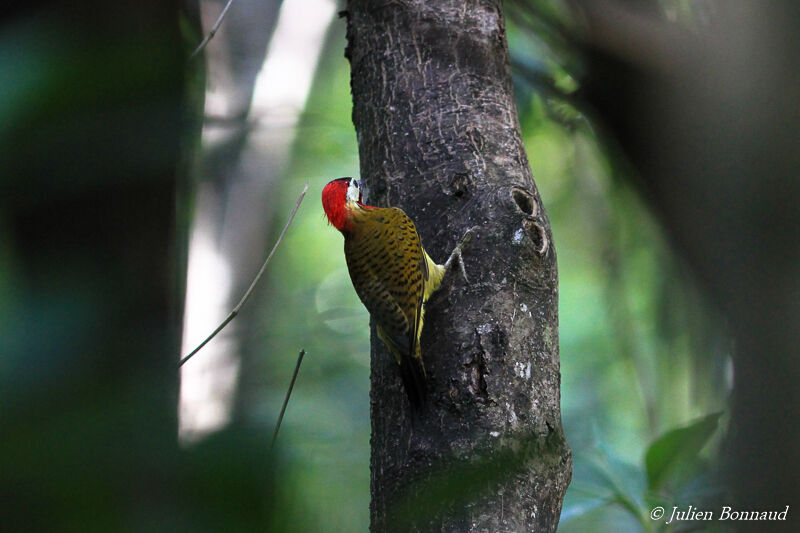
236,168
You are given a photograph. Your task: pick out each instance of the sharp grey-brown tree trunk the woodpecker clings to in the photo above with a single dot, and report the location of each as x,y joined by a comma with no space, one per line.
439,137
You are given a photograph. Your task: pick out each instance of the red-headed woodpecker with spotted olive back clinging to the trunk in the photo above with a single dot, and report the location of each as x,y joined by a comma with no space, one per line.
391,272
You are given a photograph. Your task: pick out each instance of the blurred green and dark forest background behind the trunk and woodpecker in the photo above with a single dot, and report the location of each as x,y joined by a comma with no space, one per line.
663,140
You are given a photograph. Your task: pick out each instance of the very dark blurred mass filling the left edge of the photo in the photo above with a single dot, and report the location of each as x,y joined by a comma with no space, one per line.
92,120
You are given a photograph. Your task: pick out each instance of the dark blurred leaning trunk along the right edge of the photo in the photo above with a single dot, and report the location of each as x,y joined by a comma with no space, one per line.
707,121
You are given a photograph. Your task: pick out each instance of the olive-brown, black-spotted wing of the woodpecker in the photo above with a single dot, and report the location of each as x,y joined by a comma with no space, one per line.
387,267
